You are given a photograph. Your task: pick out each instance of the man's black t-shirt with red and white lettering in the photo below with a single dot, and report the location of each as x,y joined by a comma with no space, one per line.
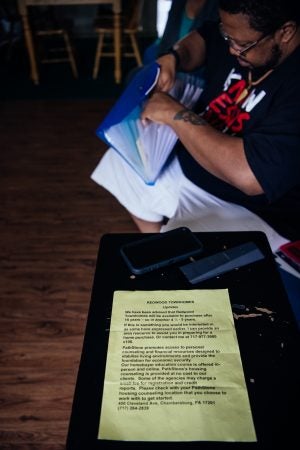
268,120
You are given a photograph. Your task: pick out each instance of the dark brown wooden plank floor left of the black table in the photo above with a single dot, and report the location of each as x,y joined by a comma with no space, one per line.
52,218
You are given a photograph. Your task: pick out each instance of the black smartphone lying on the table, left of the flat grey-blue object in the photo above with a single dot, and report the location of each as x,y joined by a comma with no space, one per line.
160,250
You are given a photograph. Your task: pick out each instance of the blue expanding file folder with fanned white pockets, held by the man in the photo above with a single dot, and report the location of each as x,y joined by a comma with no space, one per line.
146,148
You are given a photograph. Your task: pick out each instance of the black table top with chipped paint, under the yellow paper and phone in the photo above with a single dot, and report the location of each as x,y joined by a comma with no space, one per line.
269,343
